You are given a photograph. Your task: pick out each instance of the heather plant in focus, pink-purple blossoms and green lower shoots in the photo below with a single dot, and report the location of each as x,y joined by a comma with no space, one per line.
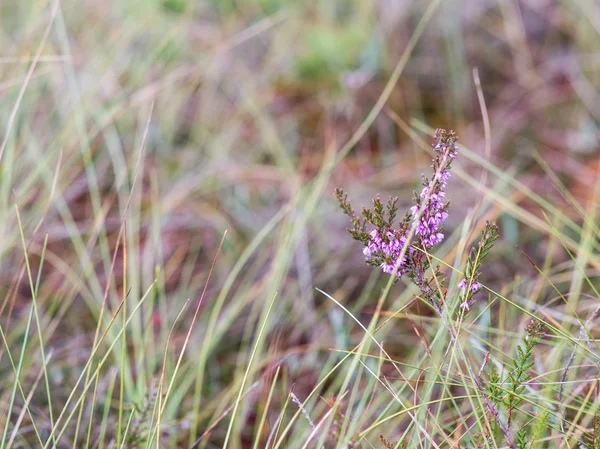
403,249
